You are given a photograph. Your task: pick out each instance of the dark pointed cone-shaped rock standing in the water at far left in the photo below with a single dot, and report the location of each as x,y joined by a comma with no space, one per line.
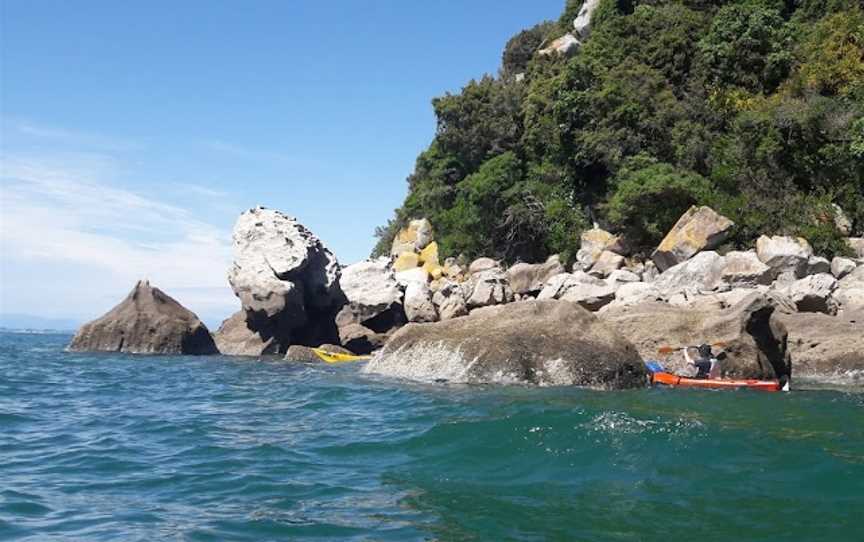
148,321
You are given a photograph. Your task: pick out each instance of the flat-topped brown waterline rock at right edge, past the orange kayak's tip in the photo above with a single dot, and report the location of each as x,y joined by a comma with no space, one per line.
825,346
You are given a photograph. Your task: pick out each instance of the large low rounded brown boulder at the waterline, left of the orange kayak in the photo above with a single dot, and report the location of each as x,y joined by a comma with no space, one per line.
564,345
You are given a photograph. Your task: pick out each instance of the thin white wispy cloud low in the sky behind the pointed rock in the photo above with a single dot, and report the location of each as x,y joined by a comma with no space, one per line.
61,222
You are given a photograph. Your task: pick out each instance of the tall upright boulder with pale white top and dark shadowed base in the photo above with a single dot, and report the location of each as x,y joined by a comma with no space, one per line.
286,279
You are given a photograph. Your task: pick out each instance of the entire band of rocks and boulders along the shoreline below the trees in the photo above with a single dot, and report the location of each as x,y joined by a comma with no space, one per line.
773,308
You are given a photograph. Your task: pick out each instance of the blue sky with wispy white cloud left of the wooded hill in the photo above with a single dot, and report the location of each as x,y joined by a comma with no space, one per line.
133,134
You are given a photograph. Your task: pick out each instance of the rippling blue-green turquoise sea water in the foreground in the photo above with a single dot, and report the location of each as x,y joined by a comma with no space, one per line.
115,447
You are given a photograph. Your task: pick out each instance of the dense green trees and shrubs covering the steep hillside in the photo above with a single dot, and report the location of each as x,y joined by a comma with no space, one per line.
755,107
